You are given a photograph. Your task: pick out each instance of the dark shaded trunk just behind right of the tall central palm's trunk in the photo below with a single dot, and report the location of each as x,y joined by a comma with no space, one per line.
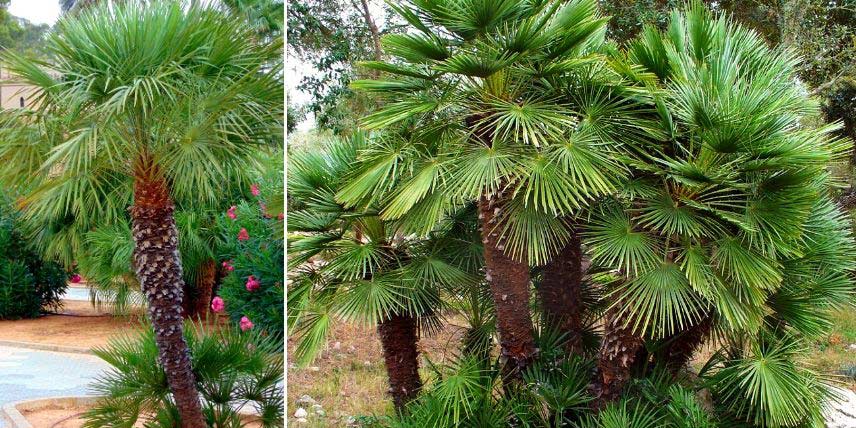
560,293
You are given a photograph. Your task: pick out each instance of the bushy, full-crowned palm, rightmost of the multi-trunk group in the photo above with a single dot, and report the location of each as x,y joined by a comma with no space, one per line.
717,228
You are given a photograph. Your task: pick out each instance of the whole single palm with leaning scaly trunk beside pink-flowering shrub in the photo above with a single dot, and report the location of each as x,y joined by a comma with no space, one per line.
163,101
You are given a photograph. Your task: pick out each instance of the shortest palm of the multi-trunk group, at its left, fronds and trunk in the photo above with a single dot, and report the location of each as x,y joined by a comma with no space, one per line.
363,269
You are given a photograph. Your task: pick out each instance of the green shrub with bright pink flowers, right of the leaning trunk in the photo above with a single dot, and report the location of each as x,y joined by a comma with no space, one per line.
252,256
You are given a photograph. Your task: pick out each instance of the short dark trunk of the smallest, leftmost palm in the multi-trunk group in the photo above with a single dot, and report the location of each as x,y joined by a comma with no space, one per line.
398,338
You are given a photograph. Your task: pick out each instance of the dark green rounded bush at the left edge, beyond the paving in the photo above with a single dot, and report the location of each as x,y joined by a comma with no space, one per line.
28,284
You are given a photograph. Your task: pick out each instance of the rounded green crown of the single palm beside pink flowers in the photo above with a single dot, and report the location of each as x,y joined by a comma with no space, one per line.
172,92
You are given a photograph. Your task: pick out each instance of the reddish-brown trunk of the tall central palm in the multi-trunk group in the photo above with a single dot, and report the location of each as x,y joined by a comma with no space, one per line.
509,284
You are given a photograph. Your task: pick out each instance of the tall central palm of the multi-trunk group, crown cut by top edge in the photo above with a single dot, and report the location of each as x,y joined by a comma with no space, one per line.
508,106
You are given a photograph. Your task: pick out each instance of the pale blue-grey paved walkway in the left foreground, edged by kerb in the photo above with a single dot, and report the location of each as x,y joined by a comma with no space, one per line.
30,374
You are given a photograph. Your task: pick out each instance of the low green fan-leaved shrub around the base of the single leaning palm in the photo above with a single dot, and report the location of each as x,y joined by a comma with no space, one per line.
234,370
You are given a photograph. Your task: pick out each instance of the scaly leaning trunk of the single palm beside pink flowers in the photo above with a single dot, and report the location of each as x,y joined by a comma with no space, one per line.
158,268
